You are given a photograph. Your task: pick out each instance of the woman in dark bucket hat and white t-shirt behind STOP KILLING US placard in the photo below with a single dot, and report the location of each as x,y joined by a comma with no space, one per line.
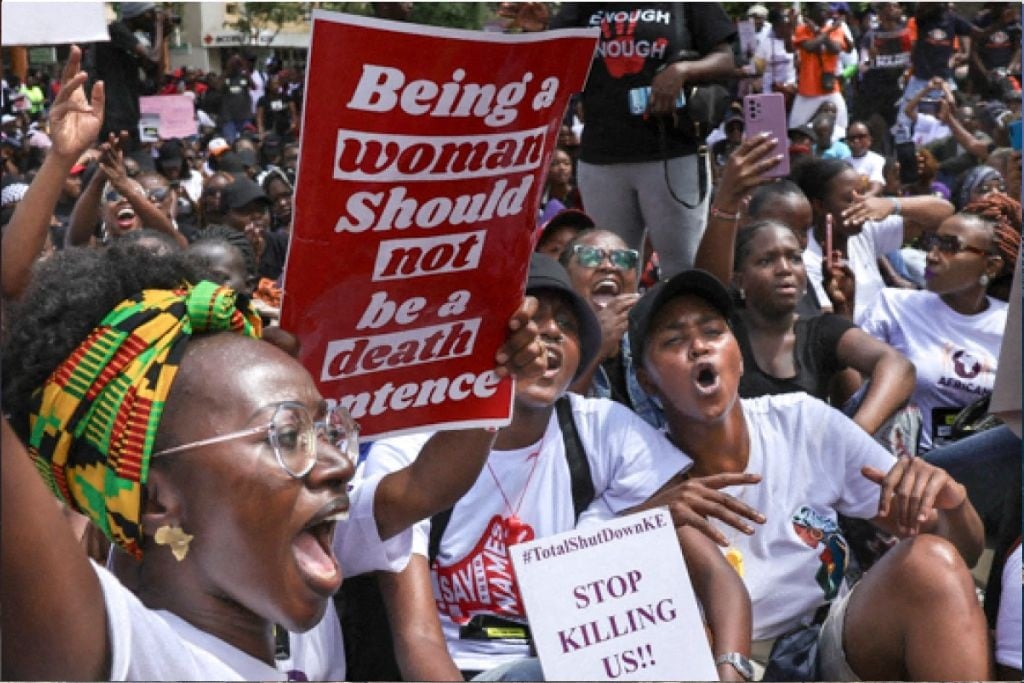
526,494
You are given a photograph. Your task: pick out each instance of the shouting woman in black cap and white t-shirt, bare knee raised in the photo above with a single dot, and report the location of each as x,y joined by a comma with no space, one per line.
915,616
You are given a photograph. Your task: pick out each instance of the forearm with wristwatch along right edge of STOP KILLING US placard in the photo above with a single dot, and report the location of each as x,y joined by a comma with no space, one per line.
723,595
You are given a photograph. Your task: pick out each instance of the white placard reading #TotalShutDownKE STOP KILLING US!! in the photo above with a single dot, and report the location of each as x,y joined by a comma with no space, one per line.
614,603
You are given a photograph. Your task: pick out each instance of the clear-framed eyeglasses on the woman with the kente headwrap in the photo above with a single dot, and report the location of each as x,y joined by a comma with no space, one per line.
293,435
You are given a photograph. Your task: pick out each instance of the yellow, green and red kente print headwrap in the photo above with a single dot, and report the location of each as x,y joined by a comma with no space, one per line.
96,418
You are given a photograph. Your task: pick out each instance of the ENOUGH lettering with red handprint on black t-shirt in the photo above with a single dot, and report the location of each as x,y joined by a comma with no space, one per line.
624,54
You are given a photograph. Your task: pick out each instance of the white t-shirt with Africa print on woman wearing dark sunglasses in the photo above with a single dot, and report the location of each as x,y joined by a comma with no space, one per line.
956,356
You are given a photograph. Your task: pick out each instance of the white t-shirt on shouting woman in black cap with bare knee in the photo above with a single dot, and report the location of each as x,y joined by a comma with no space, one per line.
809,457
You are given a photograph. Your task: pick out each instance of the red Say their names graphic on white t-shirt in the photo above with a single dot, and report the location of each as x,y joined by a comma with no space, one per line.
484,582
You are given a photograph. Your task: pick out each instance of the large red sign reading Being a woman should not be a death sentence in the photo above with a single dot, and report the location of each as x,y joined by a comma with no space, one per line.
421,165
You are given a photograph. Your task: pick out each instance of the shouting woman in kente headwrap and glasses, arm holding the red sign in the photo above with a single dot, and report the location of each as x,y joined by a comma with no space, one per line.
203,453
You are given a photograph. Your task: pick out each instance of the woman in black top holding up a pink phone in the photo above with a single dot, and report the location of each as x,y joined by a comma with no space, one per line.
783,350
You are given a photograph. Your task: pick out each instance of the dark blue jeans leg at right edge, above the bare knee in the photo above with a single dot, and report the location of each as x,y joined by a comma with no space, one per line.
989,464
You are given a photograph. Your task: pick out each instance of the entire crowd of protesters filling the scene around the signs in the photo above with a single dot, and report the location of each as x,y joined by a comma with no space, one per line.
801,366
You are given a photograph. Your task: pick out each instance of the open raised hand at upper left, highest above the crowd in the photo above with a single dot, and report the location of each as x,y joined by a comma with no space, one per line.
74,122
